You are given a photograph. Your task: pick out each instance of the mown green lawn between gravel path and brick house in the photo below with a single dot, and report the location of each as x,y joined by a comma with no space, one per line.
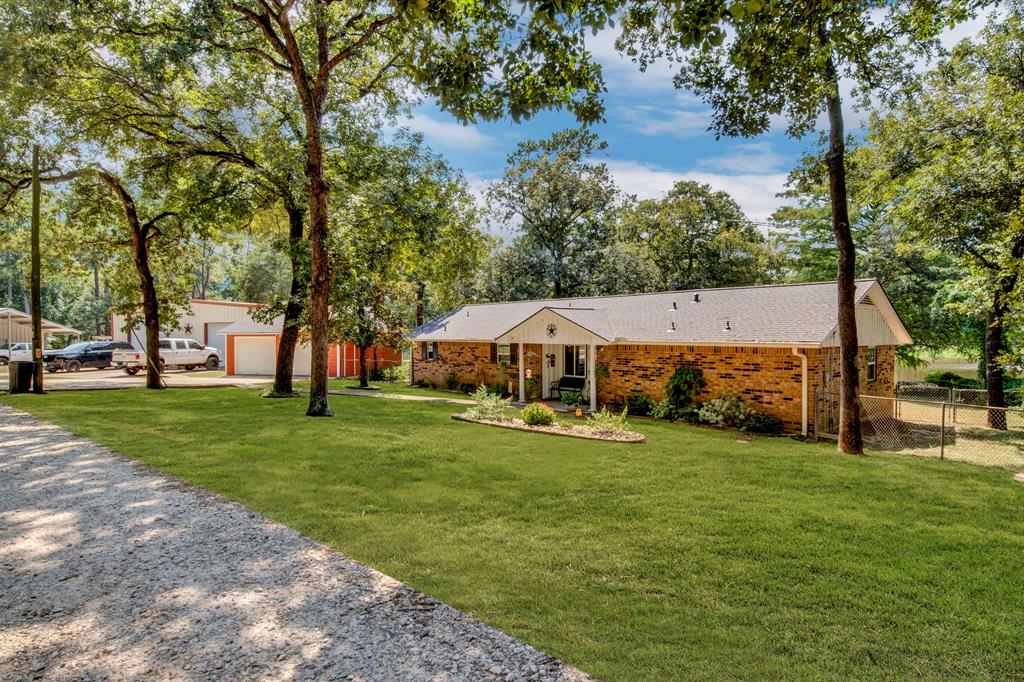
694,556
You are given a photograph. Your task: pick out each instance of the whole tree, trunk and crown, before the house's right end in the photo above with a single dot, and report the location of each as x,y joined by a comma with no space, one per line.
753,61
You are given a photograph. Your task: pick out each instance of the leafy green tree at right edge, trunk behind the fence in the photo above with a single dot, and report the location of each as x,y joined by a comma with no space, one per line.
952,155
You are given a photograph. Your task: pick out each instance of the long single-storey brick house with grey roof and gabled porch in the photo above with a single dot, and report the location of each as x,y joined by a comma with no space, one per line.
776,347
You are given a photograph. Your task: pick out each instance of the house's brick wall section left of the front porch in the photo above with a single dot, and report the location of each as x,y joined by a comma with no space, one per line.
471,363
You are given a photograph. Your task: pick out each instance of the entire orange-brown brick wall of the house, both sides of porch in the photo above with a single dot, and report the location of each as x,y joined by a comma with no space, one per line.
769,379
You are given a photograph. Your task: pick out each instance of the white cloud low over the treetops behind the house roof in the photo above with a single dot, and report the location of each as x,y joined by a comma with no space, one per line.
756,193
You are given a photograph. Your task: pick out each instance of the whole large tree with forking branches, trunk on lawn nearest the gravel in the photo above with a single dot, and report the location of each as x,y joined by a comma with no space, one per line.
480,60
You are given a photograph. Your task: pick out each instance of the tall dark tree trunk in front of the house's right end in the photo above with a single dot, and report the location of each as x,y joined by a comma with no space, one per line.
850,438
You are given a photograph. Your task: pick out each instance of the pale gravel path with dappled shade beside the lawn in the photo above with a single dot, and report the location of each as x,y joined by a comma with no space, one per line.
110,570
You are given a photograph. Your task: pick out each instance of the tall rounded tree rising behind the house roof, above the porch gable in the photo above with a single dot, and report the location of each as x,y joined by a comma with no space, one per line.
562,202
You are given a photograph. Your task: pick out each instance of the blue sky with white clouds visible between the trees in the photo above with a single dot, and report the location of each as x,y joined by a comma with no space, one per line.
656,134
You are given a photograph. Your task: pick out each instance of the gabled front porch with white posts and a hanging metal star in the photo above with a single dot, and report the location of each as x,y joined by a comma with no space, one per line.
569,354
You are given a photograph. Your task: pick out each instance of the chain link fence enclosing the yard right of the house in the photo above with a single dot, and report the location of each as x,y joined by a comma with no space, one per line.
948,430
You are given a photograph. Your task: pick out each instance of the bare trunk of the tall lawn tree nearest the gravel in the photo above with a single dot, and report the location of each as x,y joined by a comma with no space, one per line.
320,292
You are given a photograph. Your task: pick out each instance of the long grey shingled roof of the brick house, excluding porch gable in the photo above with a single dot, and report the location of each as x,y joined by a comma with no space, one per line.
777,315
